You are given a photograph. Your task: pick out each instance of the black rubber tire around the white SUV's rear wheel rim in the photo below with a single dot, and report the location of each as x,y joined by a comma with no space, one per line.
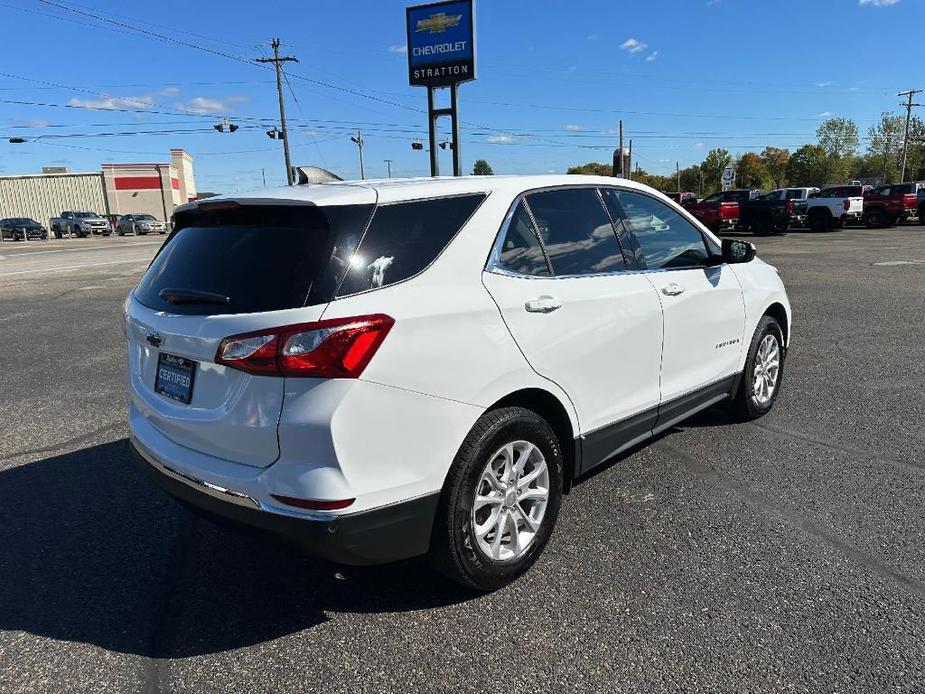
454,550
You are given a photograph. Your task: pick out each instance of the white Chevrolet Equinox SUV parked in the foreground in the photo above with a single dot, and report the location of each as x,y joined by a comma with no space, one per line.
384,369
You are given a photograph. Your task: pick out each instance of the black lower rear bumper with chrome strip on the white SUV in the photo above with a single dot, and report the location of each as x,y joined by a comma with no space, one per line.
378,536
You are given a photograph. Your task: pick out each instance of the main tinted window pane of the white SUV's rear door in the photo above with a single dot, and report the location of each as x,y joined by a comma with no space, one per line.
576,231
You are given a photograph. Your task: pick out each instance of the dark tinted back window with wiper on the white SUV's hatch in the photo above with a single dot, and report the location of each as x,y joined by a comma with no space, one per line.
258,257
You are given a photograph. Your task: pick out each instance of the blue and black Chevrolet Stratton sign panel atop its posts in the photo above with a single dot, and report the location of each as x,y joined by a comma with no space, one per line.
441,43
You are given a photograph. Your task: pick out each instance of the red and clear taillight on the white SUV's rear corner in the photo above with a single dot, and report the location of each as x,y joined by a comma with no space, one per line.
337,348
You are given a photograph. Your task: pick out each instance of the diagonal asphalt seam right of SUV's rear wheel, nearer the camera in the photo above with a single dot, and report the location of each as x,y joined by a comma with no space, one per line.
791,516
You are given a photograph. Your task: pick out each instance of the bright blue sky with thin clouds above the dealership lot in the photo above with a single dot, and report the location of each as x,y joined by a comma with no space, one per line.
554,78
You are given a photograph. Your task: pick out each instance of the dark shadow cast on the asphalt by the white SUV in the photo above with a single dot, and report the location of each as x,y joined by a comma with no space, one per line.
91,552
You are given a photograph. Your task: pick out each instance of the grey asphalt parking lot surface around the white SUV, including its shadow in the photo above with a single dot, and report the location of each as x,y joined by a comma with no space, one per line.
783,555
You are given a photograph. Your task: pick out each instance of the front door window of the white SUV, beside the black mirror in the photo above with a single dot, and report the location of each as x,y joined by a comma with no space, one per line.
666,239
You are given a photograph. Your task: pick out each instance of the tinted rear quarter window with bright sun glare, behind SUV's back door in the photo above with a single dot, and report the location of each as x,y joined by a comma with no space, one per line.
404,238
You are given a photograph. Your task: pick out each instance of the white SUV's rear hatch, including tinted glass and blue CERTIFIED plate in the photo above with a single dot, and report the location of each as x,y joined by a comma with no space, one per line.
228,269
